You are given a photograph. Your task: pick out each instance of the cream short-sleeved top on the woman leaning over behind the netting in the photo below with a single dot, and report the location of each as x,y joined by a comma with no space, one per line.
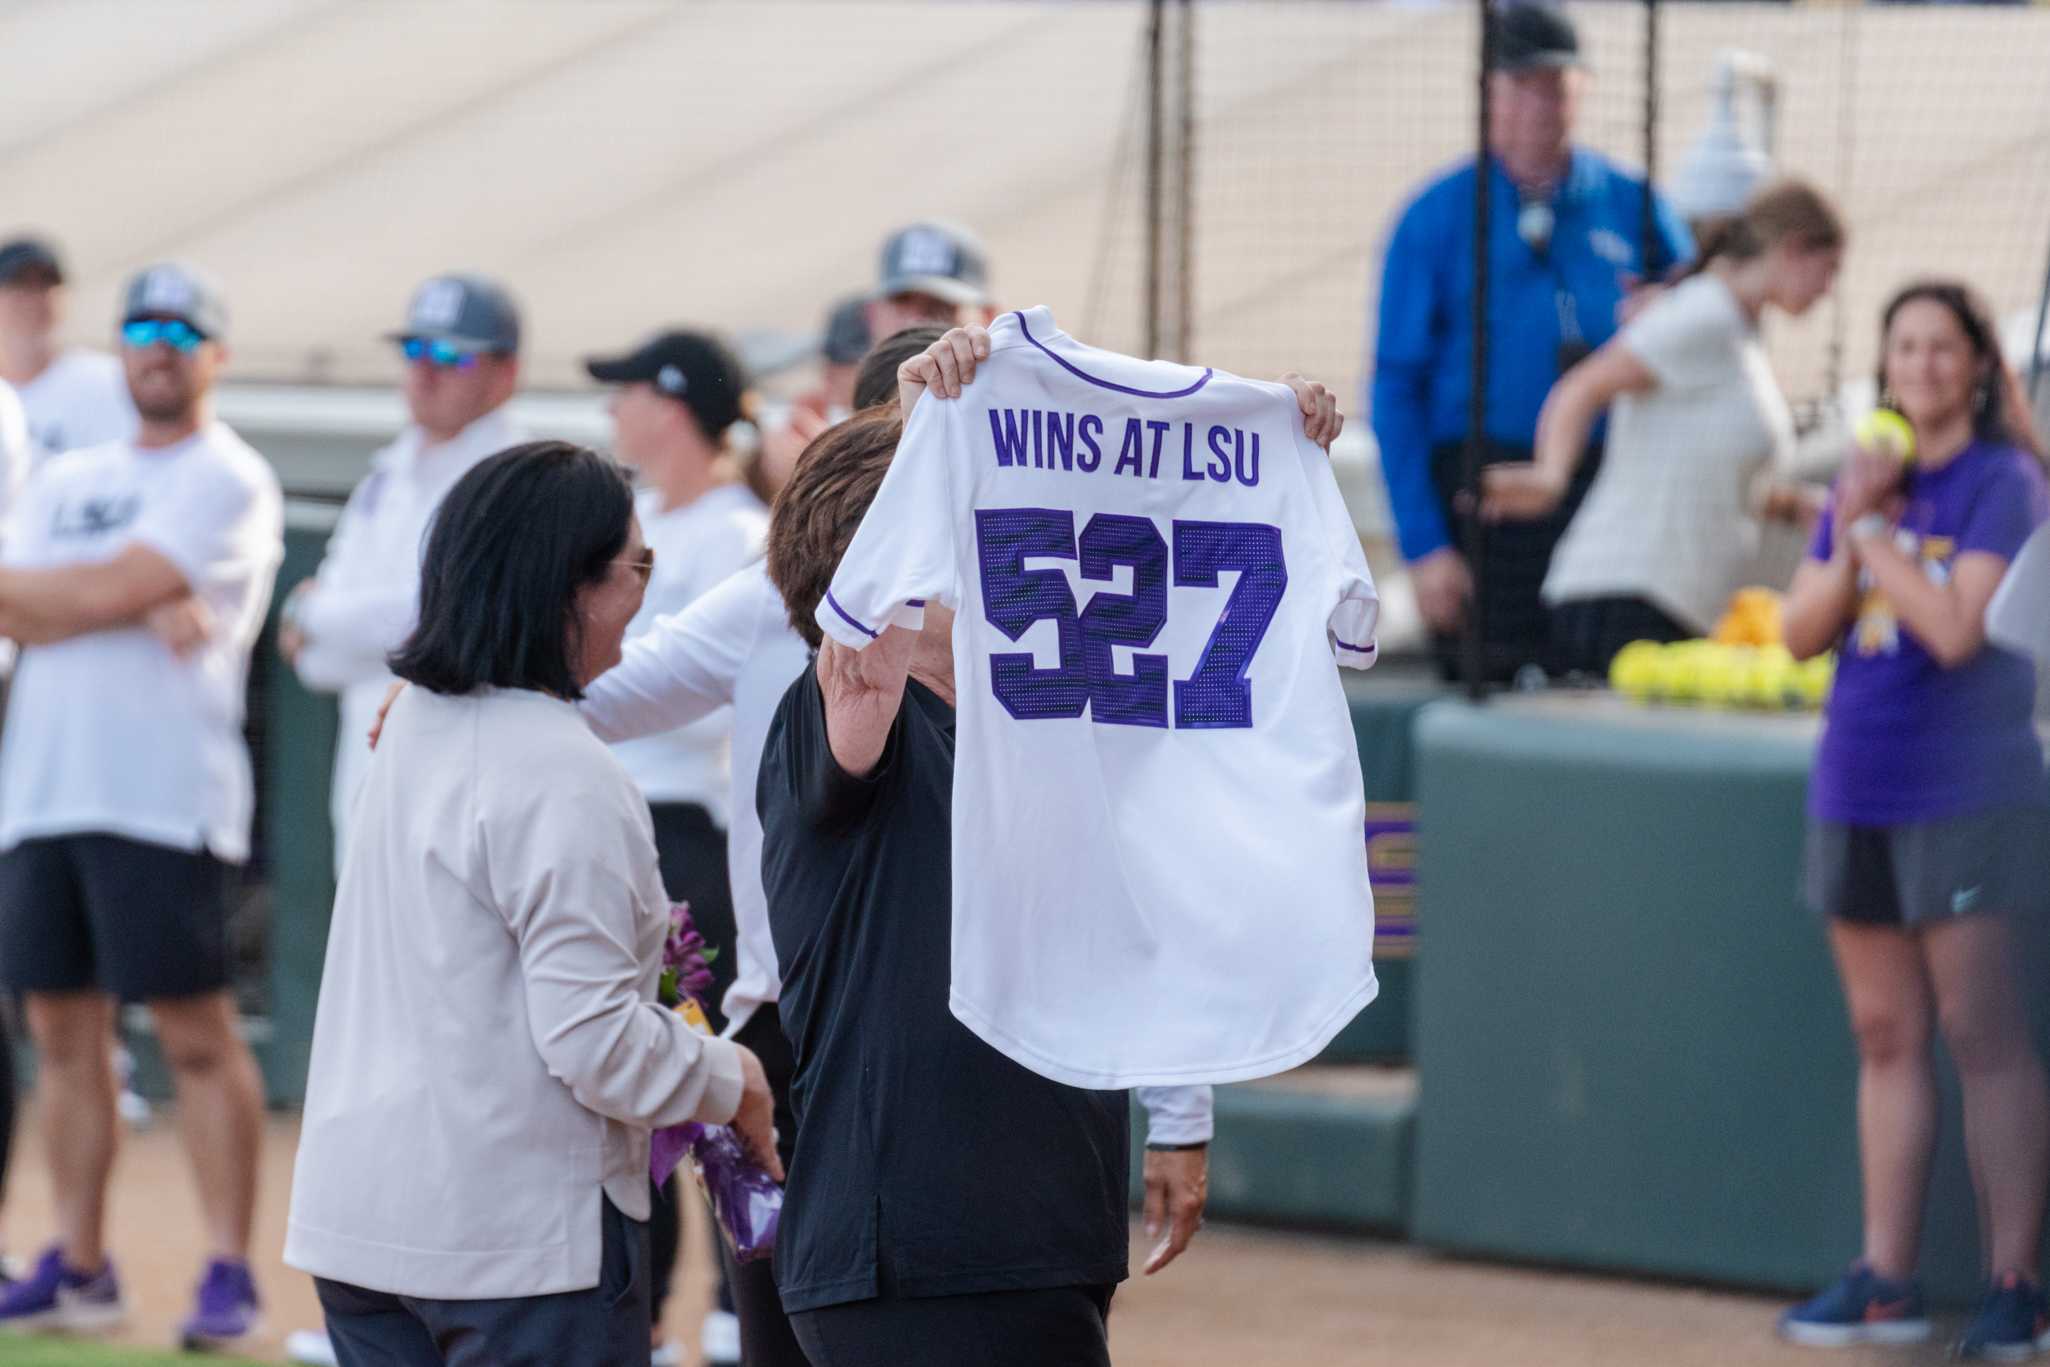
1670,515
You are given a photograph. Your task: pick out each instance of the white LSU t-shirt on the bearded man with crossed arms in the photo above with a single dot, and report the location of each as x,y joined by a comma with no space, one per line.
112,733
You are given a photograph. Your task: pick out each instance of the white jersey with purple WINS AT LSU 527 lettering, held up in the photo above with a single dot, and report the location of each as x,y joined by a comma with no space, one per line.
1159,862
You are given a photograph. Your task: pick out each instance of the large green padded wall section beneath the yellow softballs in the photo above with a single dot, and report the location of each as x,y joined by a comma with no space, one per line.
1631,1040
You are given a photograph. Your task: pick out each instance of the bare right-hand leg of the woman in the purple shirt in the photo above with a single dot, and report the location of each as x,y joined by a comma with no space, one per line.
2006,1097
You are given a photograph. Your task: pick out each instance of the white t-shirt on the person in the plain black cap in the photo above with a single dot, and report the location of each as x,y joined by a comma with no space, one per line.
696,546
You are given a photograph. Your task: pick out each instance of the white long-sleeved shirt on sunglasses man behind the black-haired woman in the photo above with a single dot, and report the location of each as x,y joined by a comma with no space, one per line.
364,599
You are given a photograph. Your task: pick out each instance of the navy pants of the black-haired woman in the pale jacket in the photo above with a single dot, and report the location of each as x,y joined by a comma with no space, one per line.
604,1327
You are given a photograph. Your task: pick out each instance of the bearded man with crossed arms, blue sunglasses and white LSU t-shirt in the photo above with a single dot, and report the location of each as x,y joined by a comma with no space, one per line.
126,794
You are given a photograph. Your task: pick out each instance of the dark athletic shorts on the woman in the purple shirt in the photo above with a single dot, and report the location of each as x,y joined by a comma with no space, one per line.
1928,872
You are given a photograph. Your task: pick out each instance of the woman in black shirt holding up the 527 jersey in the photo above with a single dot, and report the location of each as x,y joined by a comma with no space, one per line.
946,1204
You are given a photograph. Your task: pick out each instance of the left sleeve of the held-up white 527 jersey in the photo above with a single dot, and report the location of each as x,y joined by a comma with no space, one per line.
903,552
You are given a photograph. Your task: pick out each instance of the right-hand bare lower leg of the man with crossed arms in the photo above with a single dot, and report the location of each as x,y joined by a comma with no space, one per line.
220,1112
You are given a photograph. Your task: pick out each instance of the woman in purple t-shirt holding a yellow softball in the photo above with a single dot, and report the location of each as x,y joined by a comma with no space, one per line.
1928,817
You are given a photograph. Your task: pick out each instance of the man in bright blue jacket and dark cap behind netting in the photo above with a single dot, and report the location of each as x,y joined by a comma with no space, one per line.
1567,245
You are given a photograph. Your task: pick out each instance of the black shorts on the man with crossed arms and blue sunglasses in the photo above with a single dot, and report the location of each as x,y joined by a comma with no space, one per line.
114,915
